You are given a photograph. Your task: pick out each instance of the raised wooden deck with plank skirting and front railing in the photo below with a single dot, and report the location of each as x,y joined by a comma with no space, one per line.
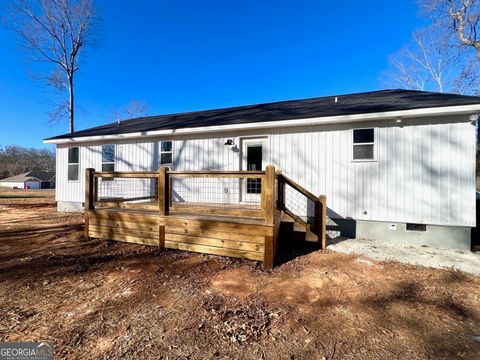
236,230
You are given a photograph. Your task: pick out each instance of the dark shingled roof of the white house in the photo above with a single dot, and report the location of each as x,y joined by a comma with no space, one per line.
360,103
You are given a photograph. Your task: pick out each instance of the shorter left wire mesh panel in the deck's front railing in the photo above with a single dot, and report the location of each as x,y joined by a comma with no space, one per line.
127,190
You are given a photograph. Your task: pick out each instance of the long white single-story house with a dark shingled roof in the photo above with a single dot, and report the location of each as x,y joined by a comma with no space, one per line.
394,164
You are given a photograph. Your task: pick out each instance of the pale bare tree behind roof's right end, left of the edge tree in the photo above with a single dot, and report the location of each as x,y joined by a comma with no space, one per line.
427,63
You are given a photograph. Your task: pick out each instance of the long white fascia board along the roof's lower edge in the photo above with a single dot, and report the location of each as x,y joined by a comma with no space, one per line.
444,110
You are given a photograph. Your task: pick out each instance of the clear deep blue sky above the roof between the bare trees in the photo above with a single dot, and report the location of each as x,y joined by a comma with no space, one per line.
191,55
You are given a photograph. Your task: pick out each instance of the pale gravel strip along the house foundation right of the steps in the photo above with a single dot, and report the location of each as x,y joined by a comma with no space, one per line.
411,254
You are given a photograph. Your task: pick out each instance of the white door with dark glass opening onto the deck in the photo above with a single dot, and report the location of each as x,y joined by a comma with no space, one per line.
254,158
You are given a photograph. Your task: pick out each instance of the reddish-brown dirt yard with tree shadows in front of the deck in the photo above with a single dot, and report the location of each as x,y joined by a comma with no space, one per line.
102,299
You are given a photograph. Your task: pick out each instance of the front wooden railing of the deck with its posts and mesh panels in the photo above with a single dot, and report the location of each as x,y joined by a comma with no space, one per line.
228,193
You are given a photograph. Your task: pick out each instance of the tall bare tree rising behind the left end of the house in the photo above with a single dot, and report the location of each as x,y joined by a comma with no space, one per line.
56,32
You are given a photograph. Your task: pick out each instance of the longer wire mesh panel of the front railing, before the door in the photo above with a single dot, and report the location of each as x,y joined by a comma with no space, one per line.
217,191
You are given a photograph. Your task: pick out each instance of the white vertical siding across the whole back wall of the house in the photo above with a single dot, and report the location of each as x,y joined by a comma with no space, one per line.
424,170
